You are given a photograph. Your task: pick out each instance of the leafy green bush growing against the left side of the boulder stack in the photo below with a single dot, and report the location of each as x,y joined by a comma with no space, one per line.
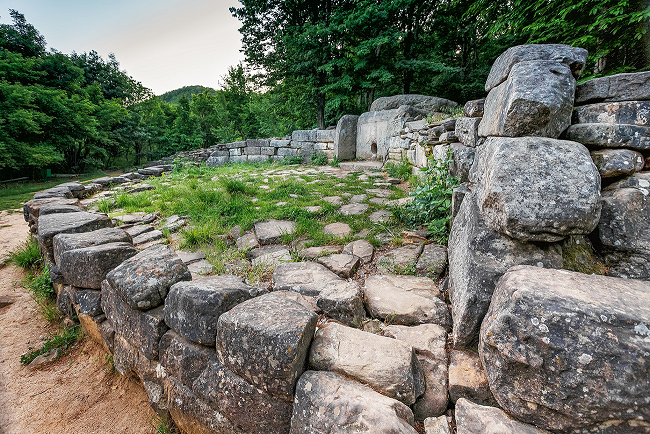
431,202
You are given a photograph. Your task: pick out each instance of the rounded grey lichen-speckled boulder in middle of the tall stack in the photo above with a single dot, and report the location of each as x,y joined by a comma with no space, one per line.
536,189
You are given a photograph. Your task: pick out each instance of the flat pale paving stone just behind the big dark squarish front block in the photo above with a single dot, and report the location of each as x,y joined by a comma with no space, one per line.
306,278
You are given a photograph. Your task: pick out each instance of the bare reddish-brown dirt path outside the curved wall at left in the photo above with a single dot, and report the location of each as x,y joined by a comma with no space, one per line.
77,393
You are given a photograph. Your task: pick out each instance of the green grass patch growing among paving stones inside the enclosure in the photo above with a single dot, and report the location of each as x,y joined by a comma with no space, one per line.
218,198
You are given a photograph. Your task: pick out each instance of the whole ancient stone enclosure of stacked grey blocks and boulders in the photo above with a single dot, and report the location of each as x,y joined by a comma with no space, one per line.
554,179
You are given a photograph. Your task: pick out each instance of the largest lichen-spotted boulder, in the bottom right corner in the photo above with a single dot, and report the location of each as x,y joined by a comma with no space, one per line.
566,350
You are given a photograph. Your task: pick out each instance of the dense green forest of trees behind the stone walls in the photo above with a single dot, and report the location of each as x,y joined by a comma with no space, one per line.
307,63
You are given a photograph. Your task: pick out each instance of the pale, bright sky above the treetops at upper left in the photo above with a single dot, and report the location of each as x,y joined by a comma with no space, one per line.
164,44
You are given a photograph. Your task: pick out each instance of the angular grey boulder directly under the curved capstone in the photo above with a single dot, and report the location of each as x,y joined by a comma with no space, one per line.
535,100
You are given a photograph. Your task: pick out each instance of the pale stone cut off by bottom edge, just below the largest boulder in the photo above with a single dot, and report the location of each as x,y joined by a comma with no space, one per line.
473,418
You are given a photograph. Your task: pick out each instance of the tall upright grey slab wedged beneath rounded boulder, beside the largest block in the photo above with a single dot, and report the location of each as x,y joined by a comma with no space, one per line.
478,257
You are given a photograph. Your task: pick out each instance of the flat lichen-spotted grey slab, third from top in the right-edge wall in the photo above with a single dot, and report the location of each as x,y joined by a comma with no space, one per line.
610,136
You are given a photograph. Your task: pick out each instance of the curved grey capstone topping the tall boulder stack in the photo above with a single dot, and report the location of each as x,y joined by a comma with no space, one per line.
574,58
